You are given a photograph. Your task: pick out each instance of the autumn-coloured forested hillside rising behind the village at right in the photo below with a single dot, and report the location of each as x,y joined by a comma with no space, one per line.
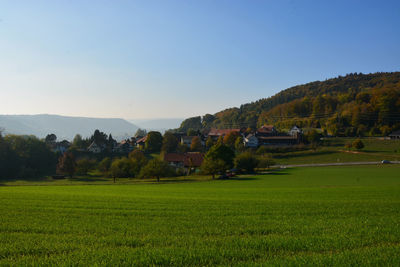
355,104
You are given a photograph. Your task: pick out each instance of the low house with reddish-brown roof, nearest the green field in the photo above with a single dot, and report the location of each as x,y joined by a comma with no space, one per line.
184,160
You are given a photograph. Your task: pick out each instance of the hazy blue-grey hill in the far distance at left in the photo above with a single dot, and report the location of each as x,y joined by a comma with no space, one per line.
64,127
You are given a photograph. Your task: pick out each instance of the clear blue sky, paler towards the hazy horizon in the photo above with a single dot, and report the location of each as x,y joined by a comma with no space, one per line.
156,59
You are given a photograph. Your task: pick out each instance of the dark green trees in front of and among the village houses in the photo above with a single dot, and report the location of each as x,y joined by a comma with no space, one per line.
29,157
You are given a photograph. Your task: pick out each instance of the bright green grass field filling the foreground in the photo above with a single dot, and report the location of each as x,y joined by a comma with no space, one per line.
304,216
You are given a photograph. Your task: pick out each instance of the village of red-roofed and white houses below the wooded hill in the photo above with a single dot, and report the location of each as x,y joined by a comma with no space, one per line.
190,149
